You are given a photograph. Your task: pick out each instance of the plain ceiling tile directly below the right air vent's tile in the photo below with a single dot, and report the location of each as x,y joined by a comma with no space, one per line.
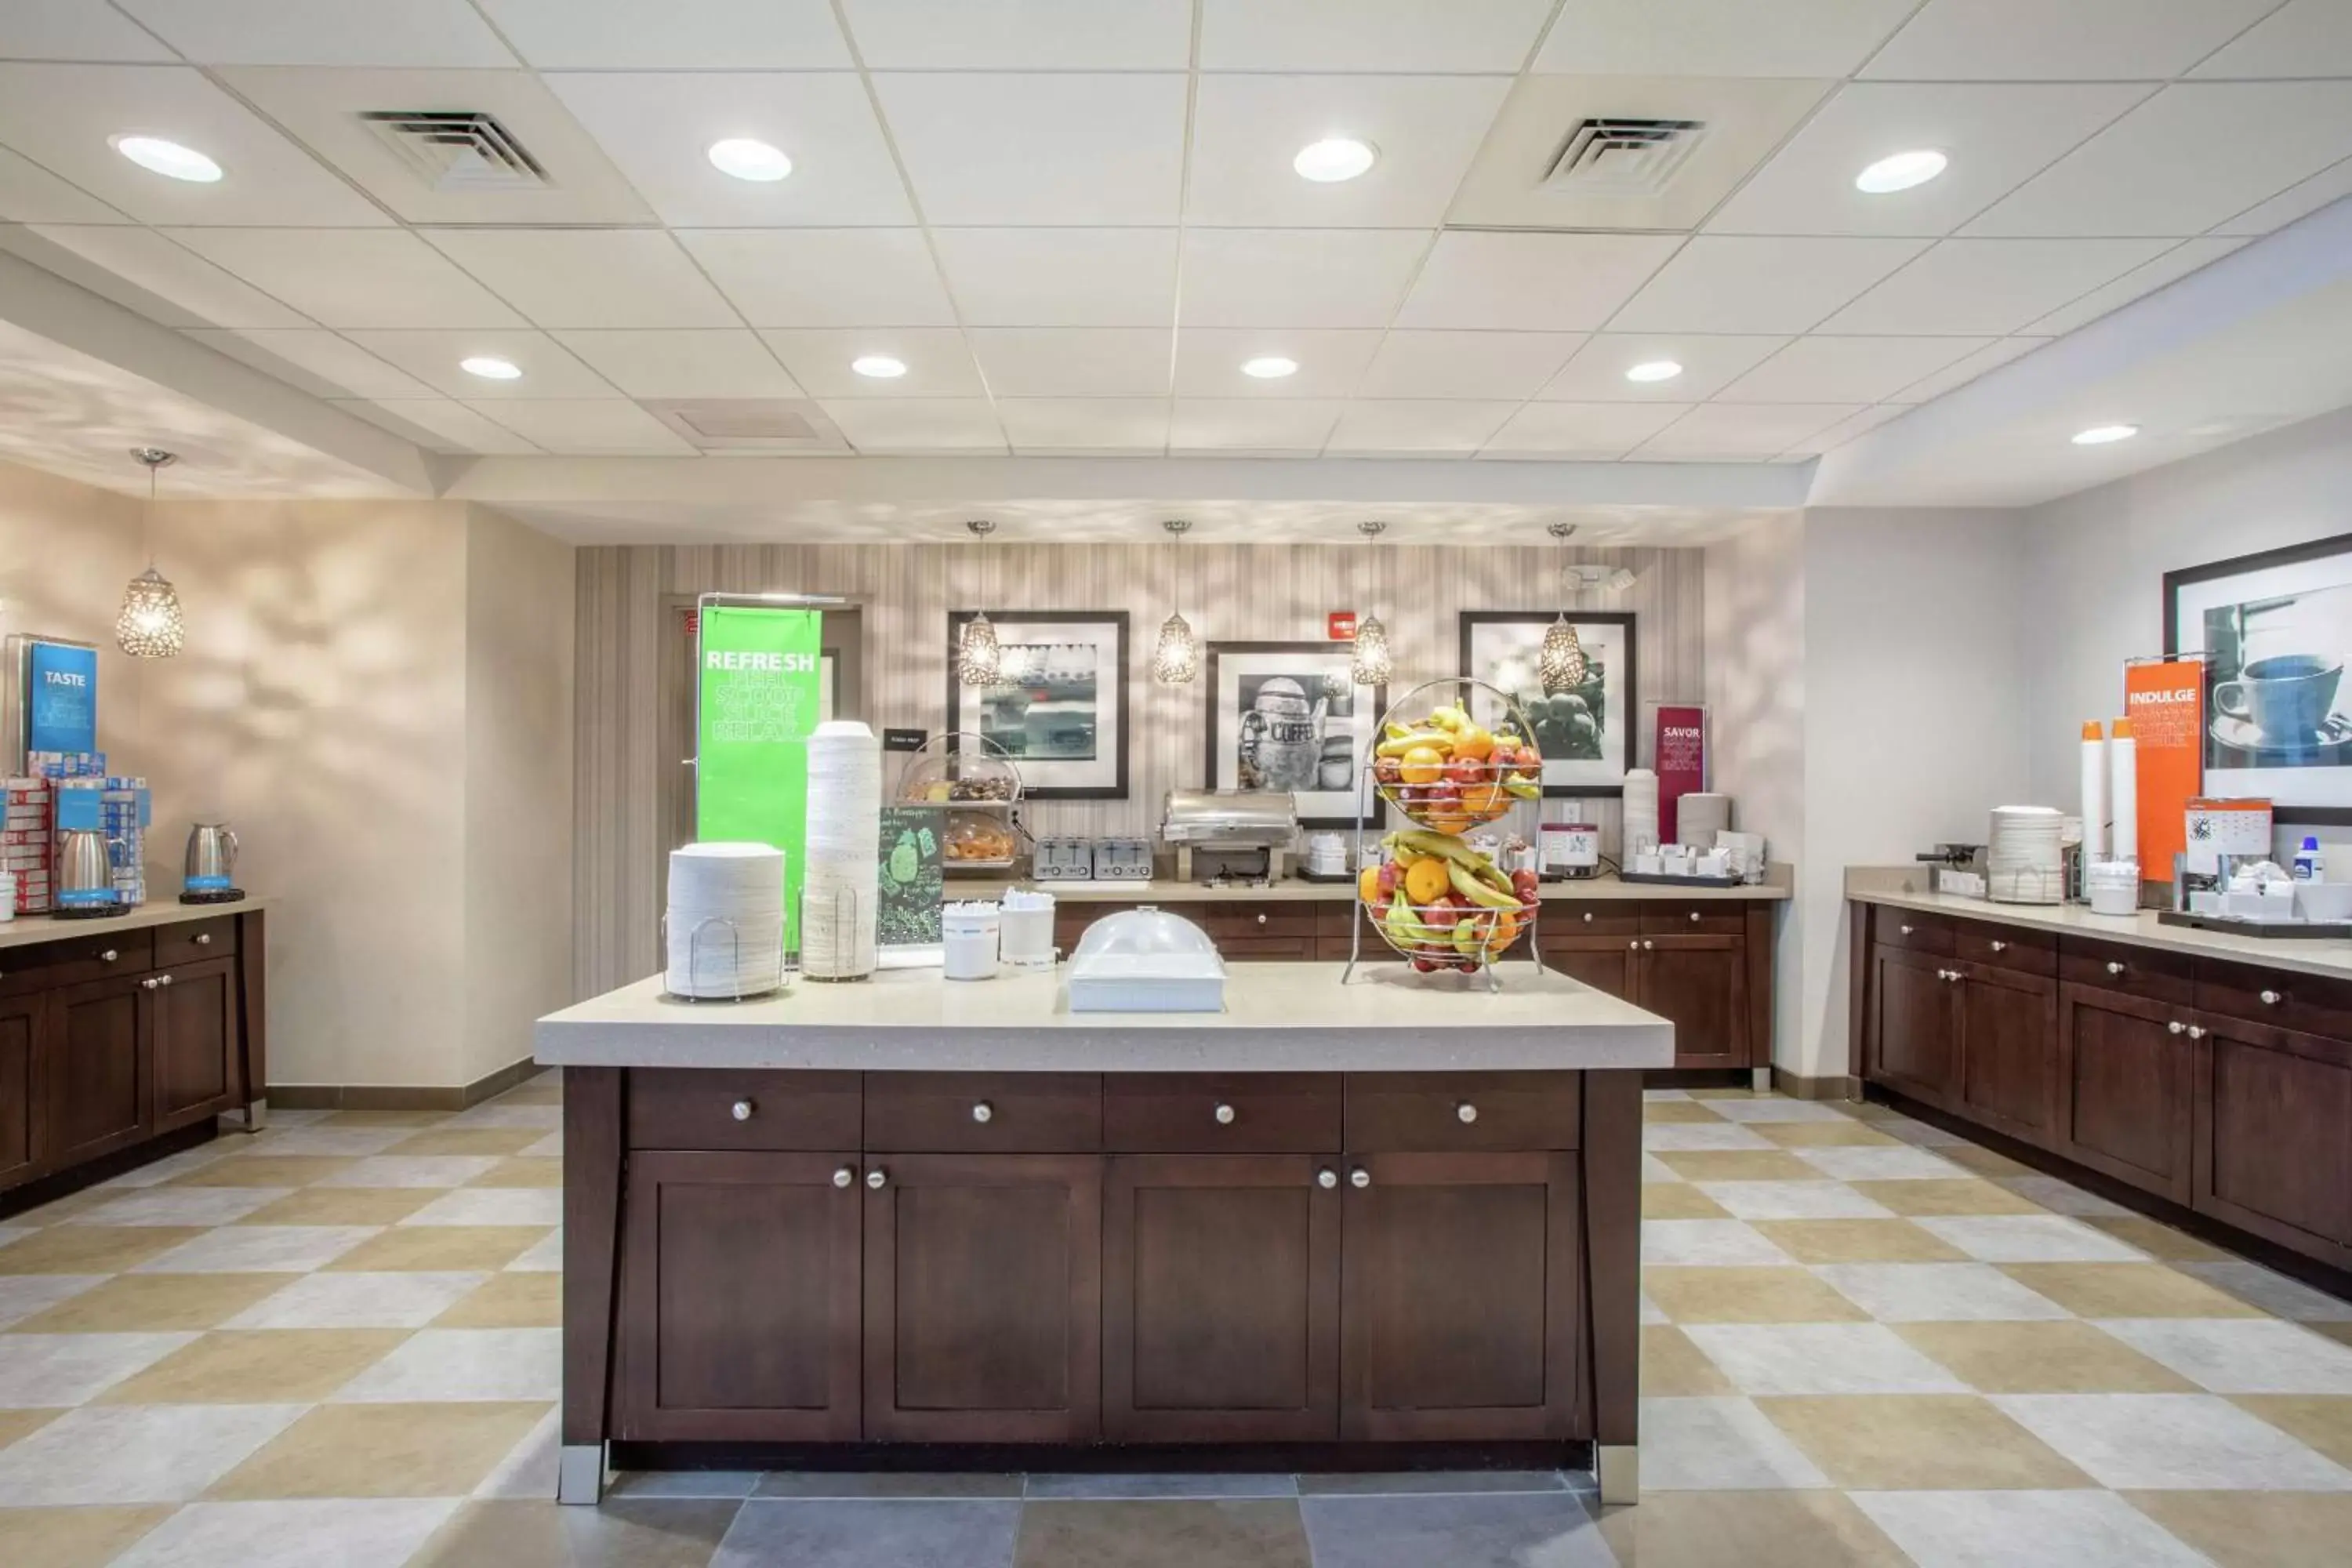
1532,283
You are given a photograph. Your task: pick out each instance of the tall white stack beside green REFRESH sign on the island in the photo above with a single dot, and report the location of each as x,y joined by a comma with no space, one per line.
843,871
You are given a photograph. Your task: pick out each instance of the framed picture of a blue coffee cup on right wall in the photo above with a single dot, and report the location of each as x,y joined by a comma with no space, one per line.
2276,634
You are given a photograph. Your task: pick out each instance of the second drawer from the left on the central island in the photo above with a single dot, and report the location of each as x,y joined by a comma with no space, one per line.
987,1113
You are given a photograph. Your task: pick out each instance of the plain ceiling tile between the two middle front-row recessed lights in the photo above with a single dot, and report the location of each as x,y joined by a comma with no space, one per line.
1038,149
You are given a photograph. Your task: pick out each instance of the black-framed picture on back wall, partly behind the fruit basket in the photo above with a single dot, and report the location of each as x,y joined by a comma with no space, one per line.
1584,732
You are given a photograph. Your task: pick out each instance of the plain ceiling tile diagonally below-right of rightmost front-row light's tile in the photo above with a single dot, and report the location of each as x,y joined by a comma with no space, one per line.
1989,288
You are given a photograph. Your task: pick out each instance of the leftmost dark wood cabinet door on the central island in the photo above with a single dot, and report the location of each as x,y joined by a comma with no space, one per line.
740,1278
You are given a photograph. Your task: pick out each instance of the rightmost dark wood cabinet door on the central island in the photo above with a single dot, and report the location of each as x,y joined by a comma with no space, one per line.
1462,1299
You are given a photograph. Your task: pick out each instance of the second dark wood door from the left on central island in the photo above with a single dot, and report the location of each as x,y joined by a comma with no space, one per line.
984,1306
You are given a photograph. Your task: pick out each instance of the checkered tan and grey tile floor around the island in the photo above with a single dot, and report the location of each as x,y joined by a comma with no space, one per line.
1864,1343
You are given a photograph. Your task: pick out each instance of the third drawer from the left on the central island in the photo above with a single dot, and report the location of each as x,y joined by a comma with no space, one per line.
1217,1113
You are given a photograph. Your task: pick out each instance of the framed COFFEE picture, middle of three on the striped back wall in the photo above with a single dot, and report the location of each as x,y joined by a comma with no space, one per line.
1283,716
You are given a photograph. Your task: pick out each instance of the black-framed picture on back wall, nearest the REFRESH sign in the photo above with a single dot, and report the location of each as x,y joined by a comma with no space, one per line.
1060,706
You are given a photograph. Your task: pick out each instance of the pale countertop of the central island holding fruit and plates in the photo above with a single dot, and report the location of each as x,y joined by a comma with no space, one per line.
1278,1019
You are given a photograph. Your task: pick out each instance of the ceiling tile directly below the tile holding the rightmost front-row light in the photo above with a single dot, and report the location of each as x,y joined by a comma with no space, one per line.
1735,286
